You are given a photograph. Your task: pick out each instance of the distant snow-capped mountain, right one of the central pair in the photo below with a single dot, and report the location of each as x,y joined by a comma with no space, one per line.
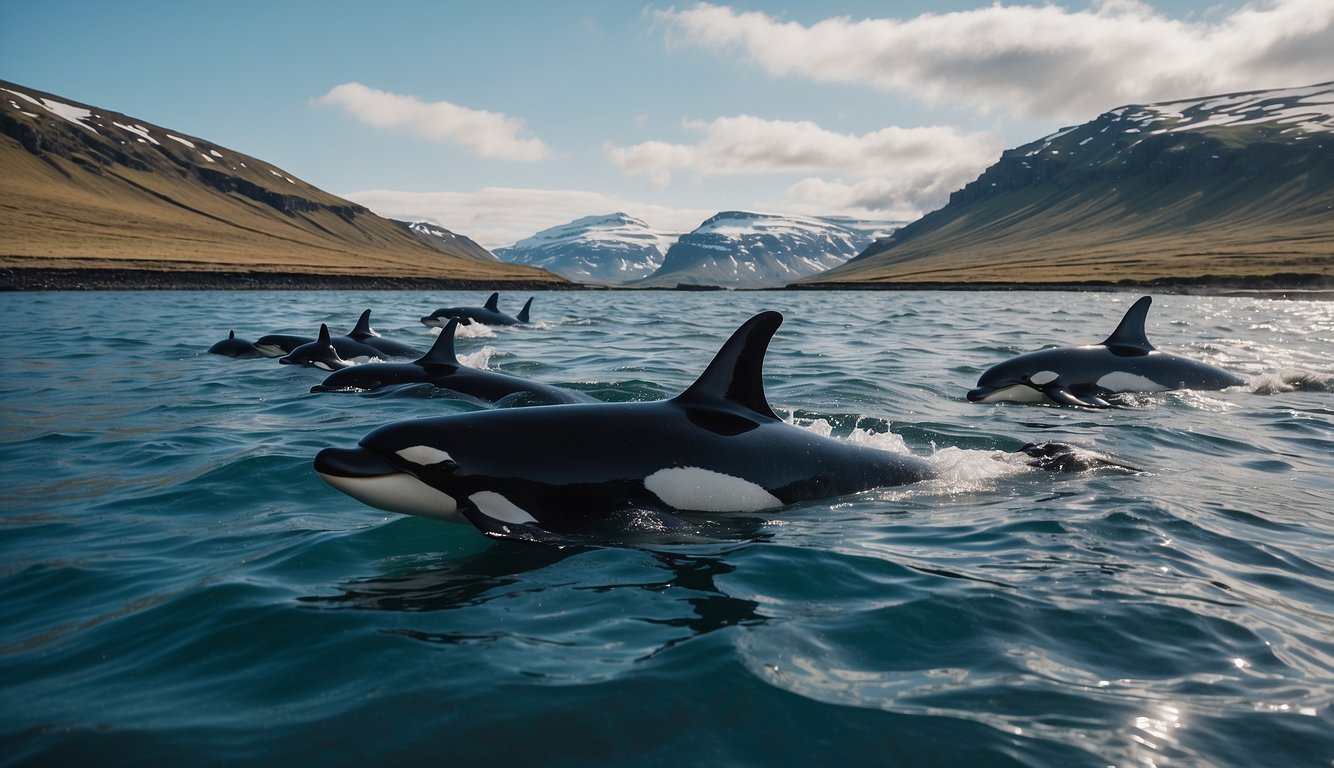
742,250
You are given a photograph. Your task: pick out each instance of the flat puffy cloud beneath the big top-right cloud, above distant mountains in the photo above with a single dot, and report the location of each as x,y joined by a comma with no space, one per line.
752,146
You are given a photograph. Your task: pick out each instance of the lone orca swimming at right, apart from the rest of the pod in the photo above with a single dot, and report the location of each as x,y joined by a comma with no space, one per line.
1087,377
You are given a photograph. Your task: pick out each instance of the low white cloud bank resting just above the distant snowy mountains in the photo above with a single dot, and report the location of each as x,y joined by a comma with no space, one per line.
500,217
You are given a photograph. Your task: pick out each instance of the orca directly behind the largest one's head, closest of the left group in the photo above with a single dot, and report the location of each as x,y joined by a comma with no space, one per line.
441,369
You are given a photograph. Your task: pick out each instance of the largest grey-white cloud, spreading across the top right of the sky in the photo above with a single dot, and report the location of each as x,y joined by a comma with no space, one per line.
1043,62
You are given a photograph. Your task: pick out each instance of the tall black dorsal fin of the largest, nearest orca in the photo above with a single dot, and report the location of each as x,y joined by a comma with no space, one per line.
737,375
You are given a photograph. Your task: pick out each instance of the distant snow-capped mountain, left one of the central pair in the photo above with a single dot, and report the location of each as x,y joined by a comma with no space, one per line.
614,249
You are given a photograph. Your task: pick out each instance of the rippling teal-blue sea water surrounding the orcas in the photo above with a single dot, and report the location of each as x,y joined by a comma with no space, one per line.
179,587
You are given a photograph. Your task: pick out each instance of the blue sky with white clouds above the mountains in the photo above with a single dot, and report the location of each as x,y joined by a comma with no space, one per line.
497,119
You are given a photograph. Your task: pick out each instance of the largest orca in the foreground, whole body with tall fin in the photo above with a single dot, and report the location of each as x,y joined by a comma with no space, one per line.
532,473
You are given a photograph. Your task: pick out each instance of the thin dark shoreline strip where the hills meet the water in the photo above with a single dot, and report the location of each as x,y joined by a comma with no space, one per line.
1315,287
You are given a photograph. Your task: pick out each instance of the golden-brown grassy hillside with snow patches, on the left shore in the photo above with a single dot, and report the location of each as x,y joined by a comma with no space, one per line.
89,189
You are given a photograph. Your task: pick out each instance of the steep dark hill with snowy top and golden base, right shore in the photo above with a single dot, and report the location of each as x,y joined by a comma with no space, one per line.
1239,186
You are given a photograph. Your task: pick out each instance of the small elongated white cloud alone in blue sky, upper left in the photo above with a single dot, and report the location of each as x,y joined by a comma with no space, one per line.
488,134
